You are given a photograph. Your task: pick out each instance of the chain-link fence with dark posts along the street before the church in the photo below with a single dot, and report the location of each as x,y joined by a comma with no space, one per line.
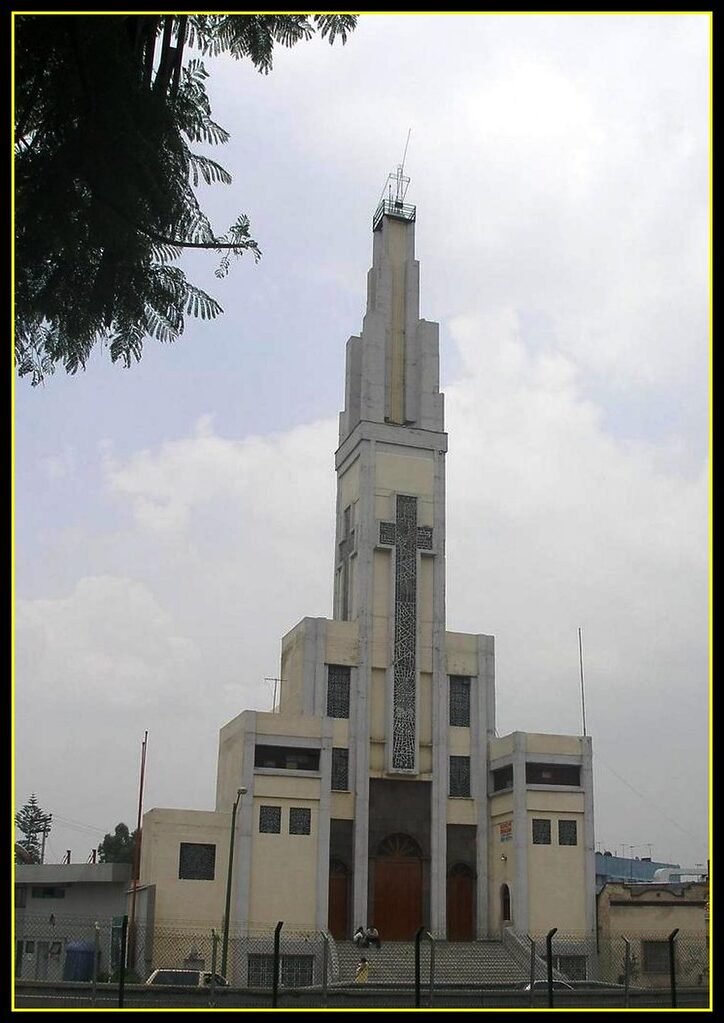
279,967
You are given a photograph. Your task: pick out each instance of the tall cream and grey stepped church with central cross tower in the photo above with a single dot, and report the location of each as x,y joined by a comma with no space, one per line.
379,791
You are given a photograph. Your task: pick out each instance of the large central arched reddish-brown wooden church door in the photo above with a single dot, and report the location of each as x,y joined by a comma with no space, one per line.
398,888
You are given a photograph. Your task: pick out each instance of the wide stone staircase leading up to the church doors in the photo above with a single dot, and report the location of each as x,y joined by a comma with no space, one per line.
456,963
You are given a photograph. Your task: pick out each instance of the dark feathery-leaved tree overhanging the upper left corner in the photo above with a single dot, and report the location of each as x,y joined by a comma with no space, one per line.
108,109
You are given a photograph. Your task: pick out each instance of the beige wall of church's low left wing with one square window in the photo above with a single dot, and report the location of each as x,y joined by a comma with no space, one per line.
180,903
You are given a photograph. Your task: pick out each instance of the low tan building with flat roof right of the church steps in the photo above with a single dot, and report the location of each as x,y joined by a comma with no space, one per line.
646,915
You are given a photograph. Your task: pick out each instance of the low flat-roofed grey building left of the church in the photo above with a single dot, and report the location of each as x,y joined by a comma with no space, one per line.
58,906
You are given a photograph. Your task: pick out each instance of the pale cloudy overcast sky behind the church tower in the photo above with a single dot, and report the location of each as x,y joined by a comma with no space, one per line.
175,520
